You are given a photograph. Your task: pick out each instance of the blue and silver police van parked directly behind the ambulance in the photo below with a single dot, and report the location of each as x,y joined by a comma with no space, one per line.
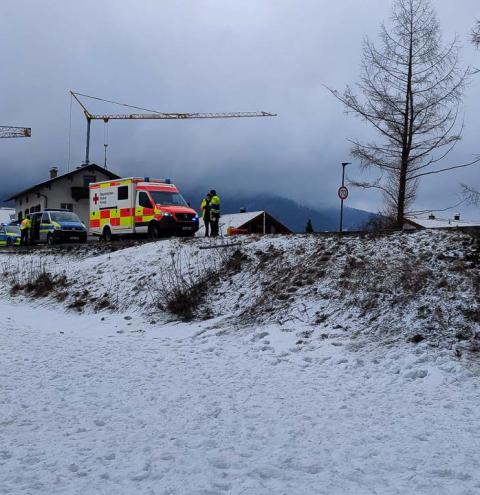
55,225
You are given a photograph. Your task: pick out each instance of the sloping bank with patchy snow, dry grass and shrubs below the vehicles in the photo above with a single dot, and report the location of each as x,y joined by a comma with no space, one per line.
421,285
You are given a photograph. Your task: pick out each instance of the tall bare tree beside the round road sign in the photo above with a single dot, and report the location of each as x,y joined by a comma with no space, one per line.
412,88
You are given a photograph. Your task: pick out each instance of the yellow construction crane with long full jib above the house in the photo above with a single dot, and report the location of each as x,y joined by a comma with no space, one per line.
151,115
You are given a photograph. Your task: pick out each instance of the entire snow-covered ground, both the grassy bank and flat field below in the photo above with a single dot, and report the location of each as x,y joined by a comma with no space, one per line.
297,372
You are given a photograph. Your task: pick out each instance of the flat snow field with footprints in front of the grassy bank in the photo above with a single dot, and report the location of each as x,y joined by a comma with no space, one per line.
115,406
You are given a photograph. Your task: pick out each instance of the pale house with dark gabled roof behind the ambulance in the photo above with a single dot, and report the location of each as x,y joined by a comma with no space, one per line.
68,191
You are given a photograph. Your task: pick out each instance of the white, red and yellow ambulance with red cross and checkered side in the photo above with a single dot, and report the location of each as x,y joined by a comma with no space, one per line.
139,205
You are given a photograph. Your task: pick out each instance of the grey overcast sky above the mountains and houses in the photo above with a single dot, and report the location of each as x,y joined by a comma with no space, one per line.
207,56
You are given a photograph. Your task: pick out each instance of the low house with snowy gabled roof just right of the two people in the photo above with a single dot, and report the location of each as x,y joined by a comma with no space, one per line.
255,222
